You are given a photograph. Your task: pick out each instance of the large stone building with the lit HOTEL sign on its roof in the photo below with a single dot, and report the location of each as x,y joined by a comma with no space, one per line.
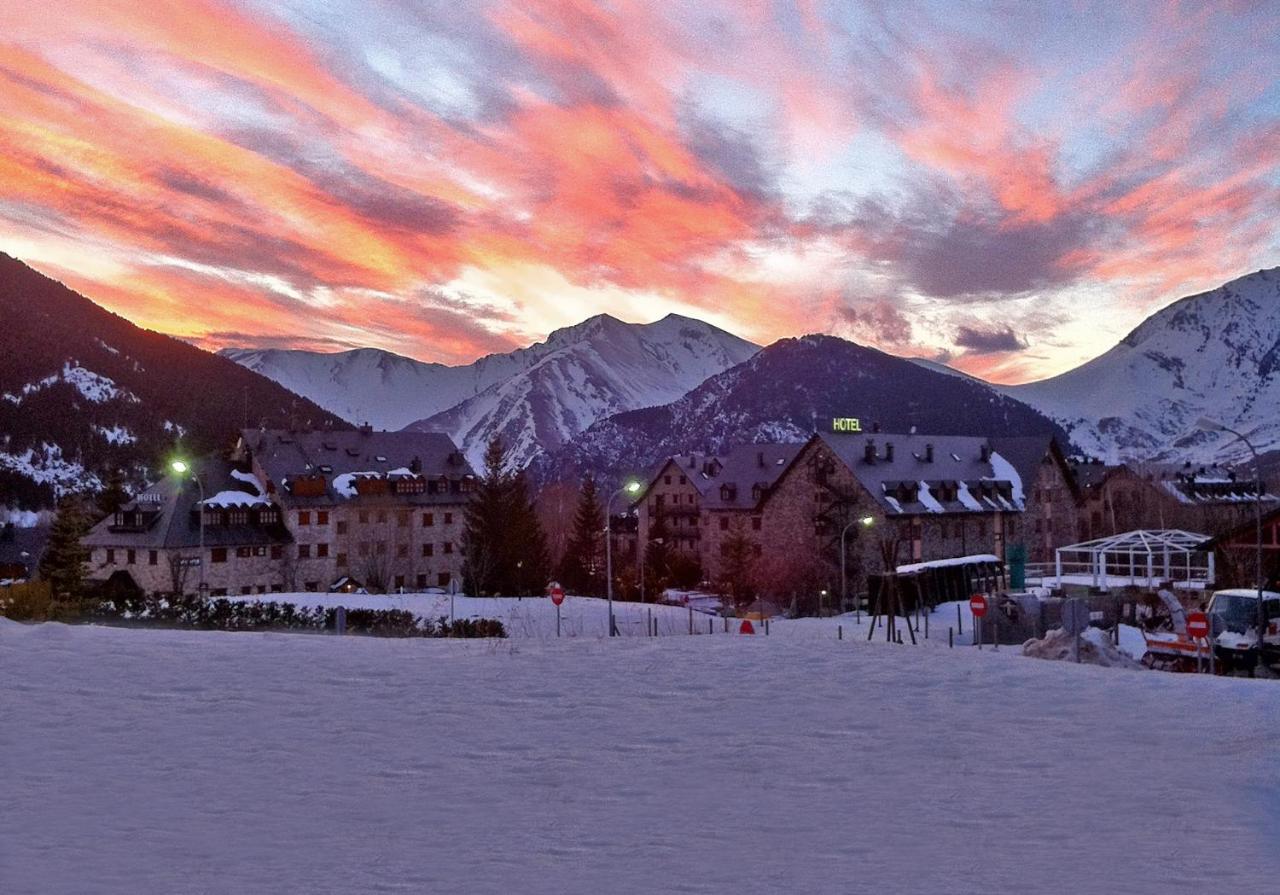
906,499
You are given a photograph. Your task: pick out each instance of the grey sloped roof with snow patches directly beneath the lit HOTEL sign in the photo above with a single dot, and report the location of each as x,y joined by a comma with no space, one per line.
982,485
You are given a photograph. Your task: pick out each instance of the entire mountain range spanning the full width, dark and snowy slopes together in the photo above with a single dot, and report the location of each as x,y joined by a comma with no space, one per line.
84,391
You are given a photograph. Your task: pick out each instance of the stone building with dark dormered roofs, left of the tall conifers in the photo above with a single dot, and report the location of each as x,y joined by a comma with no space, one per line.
299,512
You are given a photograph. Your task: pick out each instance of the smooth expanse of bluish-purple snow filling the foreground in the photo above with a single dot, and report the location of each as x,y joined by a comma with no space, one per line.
152,761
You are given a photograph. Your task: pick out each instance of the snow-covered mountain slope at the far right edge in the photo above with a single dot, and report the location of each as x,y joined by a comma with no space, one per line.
1215,354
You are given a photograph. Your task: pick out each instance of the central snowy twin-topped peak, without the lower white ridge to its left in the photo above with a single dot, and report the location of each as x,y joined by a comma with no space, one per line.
586,373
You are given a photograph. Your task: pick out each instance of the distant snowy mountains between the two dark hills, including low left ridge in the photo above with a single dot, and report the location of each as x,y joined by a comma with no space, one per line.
537,398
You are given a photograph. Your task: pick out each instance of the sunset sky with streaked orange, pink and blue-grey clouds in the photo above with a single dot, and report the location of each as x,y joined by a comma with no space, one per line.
1009,188
